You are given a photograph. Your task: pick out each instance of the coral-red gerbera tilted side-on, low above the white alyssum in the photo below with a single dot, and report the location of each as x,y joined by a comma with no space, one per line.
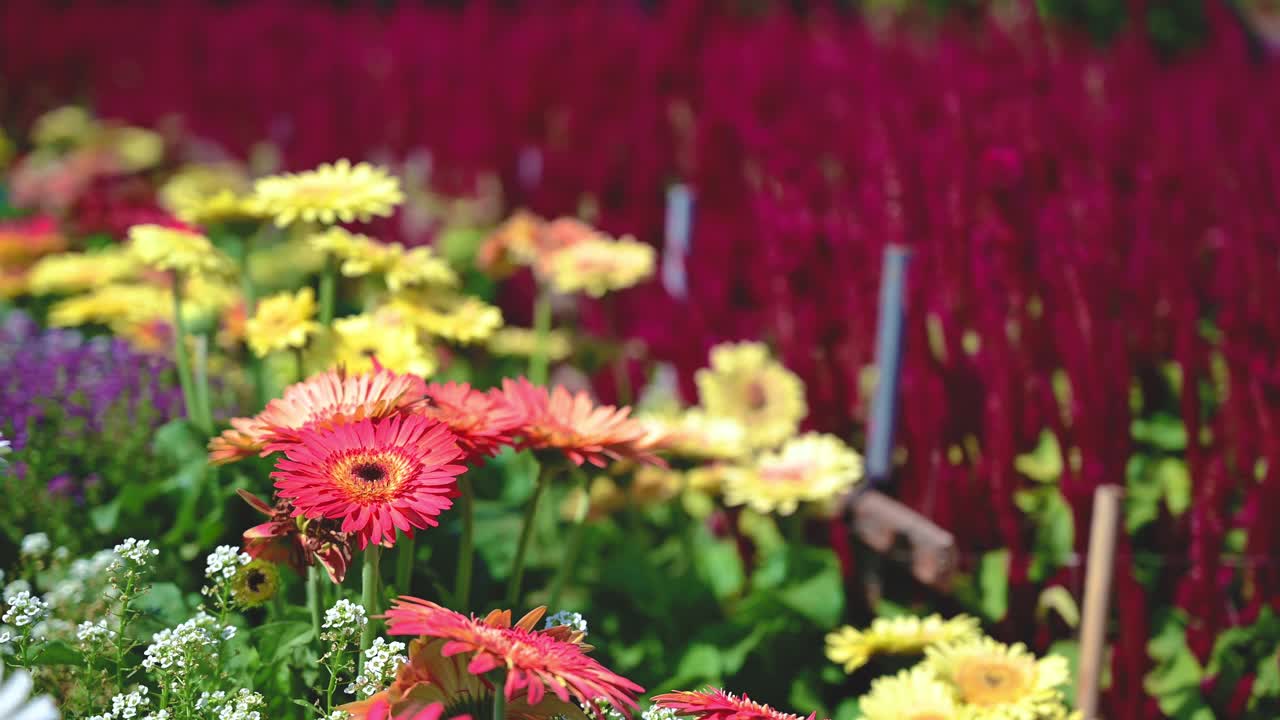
534,662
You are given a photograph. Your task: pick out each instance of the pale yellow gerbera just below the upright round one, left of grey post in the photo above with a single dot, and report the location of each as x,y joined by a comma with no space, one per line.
812,468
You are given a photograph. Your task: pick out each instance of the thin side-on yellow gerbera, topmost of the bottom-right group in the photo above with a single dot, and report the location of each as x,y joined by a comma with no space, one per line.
852,648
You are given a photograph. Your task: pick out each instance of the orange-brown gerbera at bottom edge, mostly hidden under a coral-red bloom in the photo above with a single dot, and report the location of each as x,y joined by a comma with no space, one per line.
432,678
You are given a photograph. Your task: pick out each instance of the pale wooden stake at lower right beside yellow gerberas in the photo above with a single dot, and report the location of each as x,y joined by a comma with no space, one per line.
1099,568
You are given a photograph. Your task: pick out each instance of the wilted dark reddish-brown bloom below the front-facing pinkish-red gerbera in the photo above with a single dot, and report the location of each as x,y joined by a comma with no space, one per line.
298,543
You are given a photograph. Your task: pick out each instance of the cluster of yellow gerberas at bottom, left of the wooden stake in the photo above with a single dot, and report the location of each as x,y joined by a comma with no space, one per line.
964,676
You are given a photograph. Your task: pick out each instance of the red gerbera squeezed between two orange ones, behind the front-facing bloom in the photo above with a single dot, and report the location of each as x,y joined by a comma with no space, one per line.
482,421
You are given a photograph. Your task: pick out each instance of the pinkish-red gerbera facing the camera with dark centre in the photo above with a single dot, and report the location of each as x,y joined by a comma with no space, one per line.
377,476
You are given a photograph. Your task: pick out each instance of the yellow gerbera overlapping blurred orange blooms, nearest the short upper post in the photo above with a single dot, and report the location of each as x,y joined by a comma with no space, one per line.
598,266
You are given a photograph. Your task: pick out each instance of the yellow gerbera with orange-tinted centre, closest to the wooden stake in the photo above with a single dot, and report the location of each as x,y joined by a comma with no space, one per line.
999,682
